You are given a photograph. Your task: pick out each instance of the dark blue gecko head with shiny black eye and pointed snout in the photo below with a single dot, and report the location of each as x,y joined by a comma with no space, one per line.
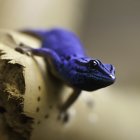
92,74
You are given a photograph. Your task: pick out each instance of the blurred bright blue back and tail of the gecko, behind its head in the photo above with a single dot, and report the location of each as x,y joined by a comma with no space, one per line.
65,43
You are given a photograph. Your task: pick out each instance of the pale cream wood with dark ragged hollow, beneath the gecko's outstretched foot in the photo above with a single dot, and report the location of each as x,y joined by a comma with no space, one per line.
23,92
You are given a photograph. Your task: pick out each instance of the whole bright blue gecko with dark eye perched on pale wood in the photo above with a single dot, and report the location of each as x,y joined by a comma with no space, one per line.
67,61
